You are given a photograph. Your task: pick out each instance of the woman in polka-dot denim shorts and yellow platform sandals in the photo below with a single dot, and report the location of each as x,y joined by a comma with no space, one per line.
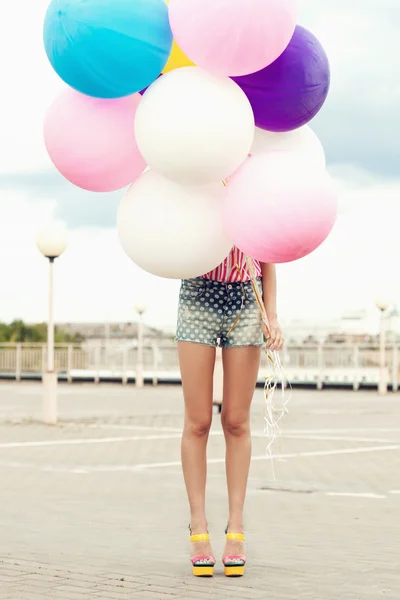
221,308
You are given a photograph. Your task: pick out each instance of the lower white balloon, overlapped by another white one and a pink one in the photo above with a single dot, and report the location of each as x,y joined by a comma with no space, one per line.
171,230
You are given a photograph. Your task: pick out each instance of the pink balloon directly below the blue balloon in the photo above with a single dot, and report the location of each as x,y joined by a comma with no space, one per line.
91,141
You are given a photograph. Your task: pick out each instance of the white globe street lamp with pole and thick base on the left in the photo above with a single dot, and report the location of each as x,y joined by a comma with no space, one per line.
52,242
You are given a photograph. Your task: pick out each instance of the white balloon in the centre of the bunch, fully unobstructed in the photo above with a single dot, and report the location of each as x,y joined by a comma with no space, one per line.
194,127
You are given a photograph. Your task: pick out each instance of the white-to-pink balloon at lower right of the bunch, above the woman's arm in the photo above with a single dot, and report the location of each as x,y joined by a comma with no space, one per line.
279,208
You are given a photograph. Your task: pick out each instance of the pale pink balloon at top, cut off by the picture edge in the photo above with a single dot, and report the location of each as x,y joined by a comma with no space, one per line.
233,37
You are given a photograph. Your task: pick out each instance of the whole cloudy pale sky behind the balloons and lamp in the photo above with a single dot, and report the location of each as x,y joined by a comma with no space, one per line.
359,127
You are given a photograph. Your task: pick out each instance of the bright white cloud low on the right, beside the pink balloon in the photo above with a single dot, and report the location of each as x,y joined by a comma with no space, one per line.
358,262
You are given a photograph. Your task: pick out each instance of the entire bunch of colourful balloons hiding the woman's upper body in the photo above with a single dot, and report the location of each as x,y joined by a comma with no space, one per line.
219,81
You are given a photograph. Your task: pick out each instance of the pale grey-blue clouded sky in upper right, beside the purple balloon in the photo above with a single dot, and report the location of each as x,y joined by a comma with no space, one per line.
359,123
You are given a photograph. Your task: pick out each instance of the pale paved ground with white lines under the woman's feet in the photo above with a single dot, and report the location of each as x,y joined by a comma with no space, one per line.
95,508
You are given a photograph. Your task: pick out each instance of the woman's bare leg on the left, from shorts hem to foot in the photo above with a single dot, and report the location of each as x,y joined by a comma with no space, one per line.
197,369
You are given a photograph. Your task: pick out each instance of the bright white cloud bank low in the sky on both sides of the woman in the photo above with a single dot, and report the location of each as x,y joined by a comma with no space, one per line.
95,280
